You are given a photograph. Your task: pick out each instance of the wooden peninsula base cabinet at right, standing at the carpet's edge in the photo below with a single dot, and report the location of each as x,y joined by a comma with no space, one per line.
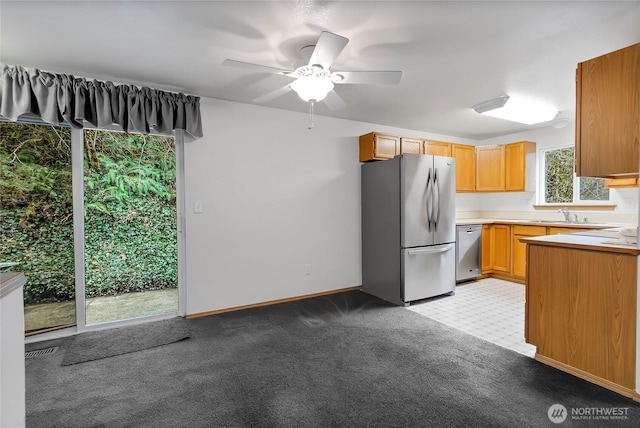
580,310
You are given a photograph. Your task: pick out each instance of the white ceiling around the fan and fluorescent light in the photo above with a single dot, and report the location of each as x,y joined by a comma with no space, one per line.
453,54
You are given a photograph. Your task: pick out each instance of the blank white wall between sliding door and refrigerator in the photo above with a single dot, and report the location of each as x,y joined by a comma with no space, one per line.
276,196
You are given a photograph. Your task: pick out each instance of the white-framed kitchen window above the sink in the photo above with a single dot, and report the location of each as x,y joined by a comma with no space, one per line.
559,184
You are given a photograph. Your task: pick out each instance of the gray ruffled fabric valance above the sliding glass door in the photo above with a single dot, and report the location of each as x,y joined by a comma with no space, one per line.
60,98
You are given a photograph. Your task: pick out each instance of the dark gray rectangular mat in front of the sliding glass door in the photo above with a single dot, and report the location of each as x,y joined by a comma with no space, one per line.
95,345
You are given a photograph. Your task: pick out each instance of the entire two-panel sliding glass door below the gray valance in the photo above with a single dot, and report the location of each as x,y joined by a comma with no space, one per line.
90,217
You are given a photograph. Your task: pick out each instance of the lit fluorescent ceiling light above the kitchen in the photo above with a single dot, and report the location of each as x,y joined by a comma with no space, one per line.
517,109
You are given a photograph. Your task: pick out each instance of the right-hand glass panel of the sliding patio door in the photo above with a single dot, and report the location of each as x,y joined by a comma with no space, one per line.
130,238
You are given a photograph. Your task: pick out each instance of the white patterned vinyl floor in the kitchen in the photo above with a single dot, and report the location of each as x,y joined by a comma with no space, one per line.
491,309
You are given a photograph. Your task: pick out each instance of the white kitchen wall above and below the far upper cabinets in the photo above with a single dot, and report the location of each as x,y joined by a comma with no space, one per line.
520,204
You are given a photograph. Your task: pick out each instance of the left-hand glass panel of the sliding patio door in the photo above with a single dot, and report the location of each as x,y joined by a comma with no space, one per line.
36,220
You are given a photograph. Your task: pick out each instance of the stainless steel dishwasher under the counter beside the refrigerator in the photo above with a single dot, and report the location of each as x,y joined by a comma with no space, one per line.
468,252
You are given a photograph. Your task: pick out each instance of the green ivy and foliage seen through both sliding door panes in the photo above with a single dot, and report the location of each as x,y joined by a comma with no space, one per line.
130,233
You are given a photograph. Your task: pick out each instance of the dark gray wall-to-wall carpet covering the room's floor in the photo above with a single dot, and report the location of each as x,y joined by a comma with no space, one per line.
346,360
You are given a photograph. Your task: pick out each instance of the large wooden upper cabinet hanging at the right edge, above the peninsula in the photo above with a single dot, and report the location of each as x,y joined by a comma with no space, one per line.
607,114
